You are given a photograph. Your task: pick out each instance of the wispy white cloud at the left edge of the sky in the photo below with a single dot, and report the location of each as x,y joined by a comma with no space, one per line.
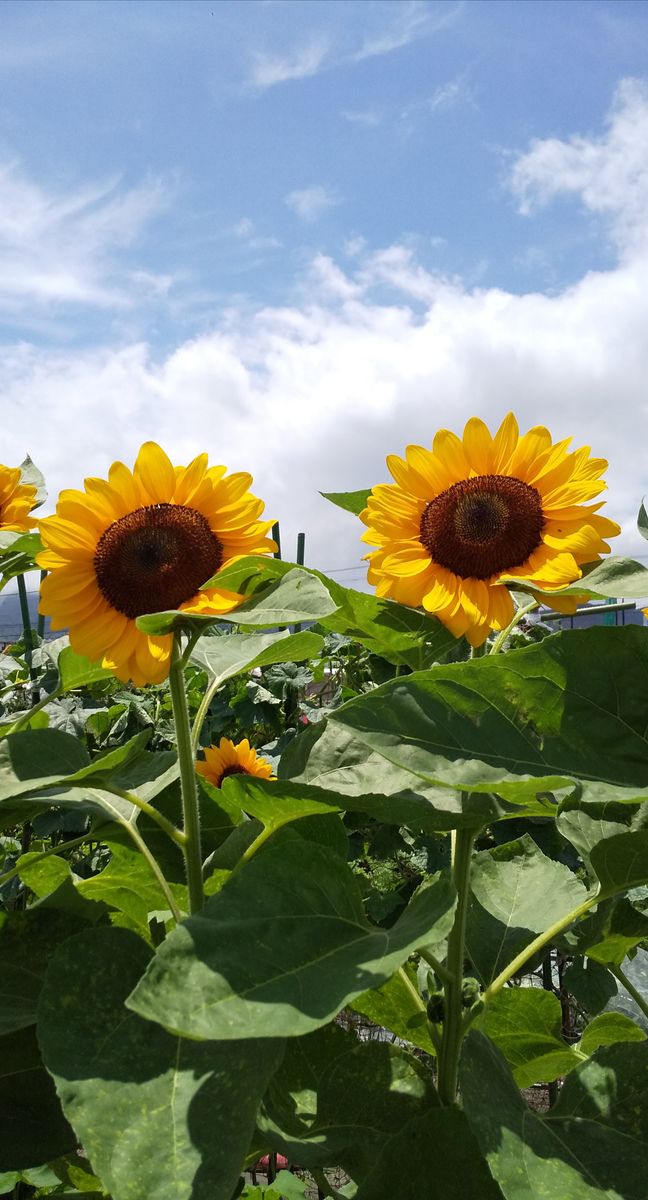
59,248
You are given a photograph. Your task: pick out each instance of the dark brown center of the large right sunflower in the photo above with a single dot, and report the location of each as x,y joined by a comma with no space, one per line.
484,526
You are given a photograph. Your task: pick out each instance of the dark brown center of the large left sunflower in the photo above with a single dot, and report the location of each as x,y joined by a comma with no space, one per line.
155,559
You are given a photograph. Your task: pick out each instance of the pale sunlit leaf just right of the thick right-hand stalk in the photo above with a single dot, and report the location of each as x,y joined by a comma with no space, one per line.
517,893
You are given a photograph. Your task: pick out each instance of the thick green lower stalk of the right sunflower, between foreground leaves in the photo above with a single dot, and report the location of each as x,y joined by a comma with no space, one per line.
453,1025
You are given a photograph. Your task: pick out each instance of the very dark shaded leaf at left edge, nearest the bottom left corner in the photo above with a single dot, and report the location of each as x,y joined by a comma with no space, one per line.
33,1130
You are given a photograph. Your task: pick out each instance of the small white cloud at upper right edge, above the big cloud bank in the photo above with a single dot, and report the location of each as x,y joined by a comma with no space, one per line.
610,173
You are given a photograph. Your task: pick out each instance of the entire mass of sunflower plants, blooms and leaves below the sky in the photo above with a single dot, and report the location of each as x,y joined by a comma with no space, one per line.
248,814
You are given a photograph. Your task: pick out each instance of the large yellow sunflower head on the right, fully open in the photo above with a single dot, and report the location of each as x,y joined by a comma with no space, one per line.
470,513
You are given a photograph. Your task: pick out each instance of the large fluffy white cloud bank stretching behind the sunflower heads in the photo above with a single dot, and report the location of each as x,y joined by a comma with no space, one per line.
314,395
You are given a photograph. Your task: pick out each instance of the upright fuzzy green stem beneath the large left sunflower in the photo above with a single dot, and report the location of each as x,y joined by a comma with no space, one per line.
191,815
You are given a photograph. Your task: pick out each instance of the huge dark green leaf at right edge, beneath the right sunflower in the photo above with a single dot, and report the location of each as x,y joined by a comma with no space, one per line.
569,709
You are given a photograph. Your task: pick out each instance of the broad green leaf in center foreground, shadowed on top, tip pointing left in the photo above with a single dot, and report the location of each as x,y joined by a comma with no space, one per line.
315,950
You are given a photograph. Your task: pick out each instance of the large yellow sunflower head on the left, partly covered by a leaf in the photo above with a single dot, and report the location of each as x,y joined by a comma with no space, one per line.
145,542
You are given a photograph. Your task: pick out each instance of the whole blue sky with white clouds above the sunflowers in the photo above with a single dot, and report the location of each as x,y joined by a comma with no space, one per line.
303,235
